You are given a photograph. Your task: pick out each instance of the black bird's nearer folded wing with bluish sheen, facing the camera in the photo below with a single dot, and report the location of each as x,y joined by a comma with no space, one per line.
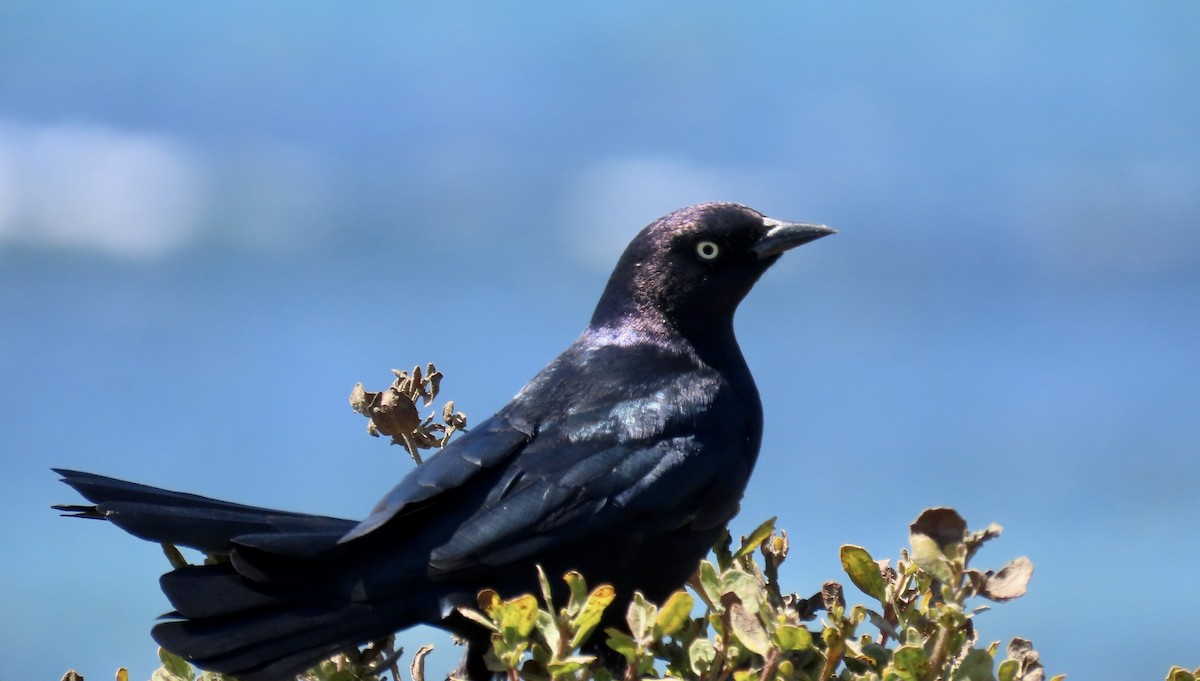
631,453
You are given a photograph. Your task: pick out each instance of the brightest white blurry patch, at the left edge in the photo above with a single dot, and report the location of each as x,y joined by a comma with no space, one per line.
127,195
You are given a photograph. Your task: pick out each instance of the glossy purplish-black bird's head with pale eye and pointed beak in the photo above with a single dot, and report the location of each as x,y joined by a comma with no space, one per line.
691,269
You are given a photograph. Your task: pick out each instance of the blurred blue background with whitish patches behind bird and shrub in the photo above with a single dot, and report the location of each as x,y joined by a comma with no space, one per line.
215,219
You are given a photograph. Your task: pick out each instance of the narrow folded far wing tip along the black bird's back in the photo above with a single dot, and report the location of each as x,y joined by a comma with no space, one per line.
483,448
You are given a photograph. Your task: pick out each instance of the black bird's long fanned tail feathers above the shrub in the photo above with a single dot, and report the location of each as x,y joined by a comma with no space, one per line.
262,617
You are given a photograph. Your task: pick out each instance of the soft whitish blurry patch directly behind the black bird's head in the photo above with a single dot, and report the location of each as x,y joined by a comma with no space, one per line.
611,201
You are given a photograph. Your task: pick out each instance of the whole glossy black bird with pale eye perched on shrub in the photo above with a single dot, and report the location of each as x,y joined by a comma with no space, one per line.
625,460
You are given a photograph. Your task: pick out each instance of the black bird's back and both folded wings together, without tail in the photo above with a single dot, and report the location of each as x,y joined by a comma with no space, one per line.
613,441
